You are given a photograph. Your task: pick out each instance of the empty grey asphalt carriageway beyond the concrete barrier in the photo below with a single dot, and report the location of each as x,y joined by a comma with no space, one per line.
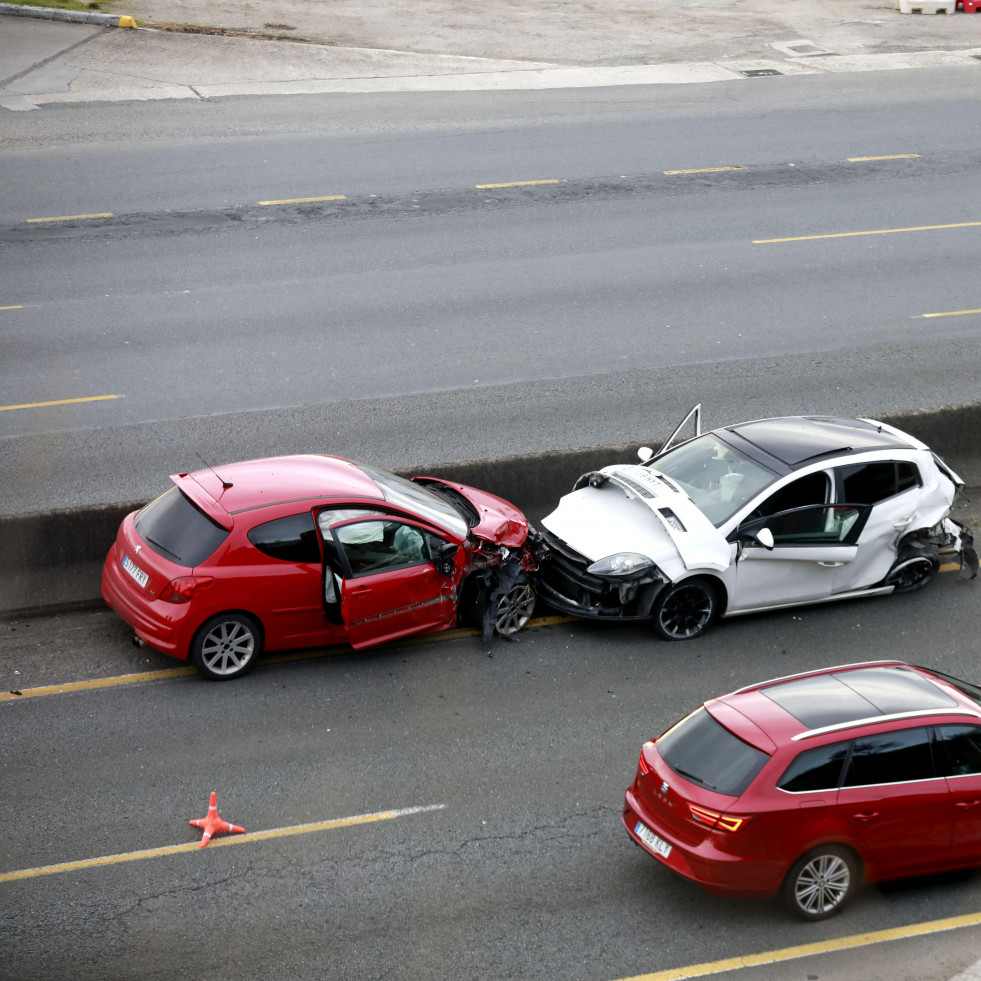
423,319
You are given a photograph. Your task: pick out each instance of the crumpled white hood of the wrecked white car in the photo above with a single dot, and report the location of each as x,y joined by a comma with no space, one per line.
631,511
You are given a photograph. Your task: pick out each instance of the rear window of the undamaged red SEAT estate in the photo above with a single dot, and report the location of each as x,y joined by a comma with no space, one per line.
701,750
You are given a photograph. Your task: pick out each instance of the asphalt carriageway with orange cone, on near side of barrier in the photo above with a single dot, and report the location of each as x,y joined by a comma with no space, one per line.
518,751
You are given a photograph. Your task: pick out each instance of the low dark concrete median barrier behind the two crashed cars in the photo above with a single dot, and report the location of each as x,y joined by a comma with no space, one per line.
52,560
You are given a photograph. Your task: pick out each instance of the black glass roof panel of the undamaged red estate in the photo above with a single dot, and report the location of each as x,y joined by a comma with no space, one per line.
847,696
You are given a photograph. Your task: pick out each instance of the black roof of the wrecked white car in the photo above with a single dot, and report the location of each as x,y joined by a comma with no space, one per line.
798,440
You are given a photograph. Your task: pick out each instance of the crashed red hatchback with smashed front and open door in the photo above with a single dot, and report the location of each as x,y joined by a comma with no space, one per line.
295,551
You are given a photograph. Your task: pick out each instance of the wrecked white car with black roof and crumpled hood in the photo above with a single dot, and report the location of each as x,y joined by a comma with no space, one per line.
757,516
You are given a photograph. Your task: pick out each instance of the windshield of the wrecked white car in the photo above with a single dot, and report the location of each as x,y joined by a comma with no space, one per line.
718,478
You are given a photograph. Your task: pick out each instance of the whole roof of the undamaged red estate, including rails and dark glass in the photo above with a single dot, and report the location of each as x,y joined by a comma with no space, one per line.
837,699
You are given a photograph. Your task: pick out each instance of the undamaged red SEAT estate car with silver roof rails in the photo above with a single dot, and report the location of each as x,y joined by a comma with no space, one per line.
805,786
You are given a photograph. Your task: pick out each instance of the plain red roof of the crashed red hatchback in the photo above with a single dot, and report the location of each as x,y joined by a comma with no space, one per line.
236,487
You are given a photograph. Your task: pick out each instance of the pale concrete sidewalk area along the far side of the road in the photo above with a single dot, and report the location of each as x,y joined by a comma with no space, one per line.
285,47
